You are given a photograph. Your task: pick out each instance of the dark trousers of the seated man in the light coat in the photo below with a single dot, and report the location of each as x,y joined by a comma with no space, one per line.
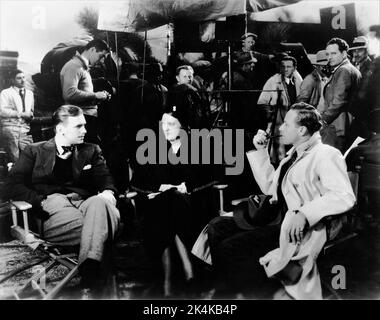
235,255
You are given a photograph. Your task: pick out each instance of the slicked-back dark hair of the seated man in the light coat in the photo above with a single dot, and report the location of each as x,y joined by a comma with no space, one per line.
308,116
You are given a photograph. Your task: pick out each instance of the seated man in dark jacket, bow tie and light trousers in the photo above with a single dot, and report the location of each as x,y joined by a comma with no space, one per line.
69,180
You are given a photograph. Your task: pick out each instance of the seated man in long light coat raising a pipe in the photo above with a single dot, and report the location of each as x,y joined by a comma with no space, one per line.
313,185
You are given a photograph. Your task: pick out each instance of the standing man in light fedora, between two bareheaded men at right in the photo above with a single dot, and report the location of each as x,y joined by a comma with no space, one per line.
312,86
